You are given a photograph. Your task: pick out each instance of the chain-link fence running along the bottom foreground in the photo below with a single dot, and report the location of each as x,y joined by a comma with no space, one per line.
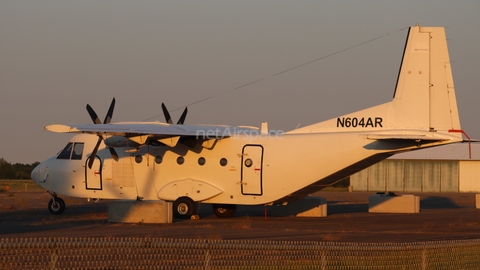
162,253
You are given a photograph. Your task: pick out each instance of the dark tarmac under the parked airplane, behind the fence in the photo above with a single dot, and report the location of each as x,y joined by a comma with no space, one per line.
443,216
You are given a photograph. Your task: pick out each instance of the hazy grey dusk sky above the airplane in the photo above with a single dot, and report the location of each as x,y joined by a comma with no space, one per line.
289,63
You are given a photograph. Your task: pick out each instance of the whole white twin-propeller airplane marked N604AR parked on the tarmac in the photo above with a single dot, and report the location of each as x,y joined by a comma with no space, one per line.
227,166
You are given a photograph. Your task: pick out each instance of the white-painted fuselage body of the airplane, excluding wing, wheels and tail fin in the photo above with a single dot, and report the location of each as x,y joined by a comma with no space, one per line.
290,163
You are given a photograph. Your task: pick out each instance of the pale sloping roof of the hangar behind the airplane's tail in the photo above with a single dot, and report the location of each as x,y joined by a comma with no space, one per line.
454,151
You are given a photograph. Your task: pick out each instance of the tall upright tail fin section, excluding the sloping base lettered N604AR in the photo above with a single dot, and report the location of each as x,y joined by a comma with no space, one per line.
425,97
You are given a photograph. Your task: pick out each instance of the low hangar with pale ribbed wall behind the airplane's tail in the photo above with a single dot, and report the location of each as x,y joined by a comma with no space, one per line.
447,168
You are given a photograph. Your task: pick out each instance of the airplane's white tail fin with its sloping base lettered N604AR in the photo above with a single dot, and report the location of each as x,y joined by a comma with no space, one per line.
424,99
